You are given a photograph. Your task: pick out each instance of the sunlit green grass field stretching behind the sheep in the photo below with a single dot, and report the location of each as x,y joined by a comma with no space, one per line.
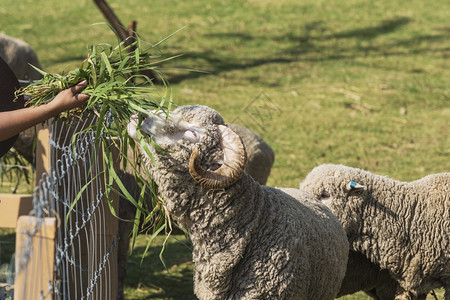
362,83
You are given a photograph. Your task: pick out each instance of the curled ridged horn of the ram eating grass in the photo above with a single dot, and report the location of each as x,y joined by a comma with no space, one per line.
234,162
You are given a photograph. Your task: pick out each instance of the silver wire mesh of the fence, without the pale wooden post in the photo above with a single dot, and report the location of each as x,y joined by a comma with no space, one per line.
73,192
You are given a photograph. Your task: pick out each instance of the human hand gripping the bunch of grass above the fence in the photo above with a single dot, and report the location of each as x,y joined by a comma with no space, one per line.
69,98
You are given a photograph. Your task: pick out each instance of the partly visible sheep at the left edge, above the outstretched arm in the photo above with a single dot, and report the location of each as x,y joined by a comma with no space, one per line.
18,55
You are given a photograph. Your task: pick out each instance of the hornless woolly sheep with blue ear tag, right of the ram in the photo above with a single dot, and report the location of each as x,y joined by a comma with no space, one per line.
403,227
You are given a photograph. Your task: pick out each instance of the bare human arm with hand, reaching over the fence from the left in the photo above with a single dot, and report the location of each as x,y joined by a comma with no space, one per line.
15,121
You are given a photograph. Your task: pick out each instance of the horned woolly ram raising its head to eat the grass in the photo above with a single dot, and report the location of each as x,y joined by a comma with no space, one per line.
249,241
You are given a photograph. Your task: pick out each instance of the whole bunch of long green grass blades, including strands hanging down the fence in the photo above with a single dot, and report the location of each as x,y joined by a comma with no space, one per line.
118,87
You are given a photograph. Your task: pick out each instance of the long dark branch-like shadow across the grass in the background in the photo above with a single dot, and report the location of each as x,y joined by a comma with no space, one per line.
309,46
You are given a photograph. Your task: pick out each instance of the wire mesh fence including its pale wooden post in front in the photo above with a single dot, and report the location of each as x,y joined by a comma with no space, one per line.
66,248
